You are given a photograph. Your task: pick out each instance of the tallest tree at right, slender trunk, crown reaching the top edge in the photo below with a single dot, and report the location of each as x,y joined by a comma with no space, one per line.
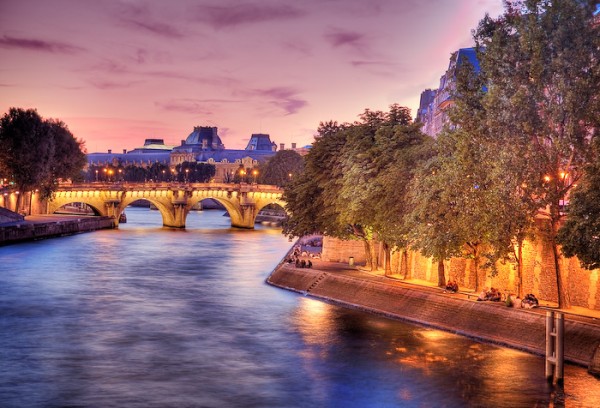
542,76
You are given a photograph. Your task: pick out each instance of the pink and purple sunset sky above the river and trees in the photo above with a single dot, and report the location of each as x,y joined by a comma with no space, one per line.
119,72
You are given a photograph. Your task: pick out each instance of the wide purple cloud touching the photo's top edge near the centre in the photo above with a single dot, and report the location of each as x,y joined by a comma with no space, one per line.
220,16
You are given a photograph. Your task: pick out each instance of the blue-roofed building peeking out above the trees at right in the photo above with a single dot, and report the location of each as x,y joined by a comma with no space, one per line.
433,109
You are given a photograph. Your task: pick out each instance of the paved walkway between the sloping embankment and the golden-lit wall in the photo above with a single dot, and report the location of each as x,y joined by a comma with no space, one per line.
578,313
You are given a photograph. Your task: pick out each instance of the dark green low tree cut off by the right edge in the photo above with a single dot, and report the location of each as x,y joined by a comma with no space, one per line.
580,234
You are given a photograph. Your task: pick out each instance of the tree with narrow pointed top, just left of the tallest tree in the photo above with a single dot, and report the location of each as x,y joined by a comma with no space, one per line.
501,196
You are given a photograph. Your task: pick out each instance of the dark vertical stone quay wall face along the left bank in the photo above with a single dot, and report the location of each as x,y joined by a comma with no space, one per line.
33,231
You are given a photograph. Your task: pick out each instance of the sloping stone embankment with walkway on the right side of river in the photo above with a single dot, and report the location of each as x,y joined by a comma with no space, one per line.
454,312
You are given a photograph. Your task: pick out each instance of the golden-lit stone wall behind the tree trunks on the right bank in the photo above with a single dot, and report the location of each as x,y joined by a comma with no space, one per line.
538,277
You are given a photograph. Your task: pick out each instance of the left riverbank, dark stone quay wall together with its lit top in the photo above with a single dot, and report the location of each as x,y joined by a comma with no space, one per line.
48,226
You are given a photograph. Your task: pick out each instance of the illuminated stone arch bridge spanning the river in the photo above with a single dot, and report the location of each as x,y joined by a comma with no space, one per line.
173,200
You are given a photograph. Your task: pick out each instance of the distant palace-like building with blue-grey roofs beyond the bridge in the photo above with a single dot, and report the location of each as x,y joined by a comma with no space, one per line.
202,145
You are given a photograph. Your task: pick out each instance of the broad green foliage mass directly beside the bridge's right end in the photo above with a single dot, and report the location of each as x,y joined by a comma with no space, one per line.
355,180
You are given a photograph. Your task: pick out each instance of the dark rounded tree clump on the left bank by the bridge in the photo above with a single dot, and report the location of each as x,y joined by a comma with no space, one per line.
37,153
